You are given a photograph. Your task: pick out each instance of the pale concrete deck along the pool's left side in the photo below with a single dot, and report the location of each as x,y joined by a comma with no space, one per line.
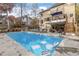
11,48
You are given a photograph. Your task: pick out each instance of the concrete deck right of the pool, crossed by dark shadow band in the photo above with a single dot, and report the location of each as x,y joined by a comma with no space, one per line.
68,48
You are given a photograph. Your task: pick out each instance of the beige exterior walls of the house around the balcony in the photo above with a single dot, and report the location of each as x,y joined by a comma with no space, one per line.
68,10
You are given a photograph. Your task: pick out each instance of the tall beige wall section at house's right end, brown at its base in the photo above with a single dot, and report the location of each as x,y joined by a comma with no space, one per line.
69,10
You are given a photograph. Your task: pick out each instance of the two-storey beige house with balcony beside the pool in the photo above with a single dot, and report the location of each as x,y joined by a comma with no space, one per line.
61,16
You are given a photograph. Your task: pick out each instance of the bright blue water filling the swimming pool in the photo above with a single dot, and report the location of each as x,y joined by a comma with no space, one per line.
36,43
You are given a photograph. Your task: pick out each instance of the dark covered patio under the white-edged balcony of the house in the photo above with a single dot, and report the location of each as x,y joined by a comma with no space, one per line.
57,25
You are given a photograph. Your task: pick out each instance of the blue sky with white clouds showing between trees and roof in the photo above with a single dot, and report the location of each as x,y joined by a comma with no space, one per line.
16,10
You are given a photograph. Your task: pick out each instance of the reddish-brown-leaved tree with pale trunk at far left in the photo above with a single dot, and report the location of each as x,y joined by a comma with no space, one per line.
6,8
